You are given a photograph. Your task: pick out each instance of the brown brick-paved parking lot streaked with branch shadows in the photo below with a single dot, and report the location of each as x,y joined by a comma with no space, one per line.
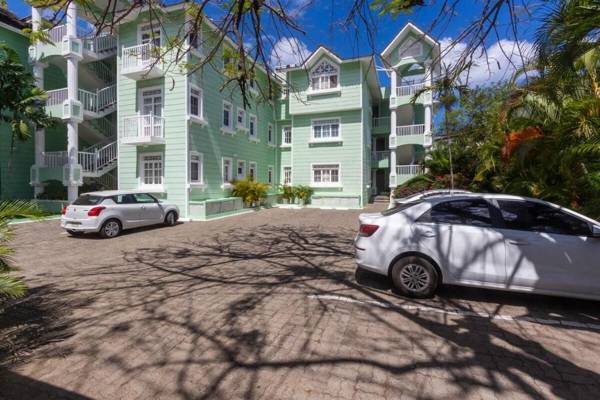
270,305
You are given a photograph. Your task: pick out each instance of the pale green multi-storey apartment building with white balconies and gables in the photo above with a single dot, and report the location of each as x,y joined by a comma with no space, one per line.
131,120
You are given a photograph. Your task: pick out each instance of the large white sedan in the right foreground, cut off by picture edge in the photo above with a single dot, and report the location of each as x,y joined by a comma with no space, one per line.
493,241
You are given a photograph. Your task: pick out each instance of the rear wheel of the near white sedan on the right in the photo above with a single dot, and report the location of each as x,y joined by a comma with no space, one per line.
415,277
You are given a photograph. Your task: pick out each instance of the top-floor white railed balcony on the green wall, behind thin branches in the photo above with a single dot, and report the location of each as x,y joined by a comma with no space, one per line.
141,62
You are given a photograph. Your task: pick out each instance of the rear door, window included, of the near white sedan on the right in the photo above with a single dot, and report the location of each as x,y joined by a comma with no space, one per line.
462,235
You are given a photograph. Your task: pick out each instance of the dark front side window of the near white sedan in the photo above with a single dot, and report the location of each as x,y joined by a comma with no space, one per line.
537,217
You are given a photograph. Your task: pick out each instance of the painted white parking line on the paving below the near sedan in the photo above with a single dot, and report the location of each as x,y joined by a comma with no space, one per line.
464,313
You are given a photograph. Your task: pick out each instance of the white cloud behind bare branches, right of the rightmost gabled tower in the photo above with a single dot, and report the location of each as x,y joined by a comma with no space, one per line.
503,57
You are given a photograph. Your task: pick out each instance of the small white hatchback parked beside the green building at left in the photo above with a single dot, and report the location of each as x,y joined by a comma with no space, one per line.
110,212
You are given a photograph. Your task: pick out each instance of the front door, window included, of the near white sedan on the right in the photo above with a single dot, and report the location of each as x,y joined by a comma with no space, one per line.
549,249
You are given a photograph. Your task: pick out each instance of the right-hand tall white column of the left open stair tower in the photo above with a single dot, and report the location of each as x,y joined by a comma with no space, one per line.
72,89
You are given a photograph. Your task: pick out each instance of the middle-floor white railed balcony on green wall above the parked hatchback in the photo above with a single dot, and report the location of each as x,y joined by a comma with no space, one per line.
143,130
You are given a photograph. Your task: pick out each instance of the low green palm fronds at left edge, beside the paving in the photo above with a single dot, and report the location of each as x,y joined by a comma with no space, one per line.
11,286
